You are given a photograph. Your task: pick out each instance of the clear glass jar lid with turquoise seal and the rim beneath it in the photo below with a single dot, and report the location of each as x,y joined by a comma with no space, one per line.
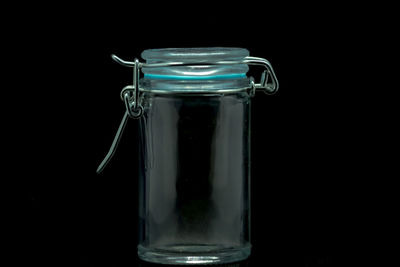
194,76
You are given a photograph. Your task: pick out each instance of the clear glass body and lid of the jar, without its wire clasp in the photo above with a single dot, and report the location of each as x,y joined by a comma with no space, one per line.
194,184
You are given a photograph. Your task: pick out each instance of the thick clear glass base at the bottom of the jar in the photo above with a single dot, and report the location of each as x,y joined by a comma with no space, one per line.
194,254
